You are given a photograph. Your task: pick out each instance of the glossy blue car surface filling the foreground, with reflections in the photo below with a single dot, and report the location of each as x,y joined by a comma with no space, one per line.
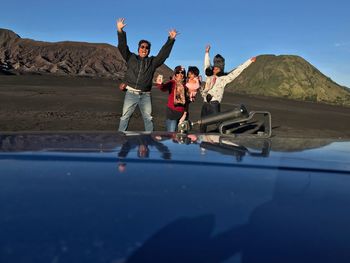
167,197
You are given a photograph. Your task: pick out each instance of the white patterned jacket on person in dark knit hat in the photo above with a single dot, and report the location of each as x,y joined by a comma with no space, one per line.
215,85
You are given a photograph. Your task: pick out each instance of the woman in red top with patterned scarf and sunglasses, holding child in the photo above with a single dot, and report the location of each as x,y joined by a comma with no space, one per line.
177,106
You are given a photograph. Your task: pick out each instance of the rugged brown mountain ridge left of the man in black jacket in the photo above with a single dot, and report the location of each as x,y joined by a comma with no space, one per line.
27,56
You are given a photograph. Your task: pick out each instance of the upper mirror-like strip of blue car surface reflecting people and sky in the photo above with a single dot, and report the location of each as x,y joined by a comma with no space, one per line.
191,149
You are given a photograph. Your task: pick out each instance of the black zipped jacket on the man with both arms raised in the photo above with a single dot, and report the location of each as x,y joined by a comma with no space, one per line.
140,71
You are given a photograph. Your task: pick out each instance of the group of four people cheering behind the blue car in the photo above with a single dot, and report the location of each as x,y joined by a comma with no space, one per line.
182,88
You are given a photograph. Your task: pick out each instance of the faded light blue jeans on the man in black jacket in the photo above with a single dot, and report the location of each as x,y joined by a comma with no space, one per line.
131,100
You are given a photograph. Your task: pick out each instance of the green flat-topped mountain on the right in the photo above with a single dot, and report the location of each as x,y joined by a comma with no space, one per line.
289,77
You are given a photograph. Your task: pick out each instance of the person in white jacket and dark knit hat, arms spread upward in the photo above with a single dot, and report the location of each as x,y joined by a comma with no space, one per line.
215,83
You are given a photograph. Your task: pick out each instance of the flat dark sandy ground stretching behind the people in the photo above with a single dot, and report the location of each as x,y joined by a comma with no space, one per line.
46,103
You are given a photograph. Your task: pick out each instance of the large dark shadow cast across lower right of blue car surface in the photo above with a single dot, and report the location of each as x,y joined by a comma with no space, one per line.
300,223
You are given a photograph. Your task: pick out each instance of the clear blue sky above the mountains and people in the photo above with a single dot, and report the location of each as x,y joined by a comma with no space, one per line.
318,31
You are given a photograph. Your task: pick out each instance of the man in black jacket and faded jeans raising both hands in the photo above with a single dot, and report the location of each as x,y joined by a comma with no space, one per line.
139,76
